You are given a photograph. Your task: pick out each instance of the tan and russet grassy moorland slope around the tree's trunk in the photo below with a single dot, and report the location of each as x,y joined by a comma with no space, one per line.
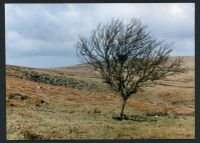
54,112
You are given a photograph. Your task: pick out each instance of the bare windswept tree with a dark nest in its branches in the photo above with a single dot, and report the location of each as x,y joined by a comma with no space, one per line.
127,57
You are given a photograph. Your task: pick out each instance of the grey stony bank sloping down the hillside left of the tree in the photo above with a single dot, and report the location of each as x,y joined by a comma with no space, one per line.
53,79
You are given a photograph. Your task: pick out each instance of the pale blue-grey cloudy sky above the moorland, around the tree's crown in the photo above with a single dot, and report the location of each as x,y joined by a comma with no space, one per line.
44,35
